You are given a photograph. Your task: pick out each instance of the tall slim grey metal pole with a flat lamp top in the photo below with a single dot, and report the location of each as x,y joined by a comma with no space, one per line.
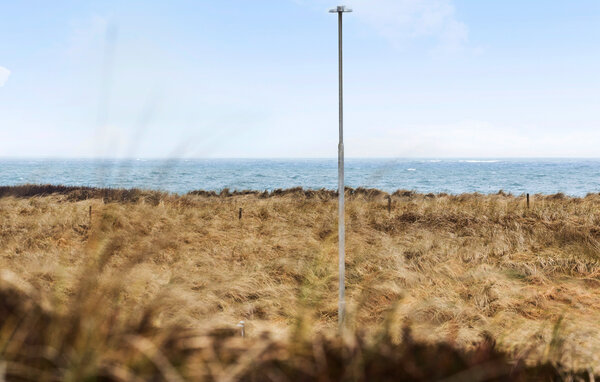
341,226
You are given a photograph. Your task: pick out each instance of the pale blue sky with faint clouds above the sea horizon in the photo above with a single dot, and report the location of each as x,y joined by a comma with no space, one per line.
258,79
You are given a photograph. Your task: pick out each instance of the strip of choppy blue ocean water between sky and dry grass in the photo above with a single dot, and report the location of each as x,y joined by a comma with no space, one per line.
571,176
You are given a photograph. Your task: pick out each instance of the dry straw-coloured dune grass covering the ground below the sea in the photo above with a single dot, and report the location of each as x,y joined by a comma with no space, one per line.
130,285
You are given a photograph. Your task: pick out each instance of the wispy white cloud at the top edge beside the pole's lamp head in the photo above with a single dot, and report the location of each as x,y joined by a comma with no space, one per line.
401,21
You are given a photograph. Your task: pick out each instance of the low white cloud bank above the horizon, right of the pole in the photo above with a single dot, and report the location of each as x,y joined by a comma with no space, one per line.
475,139
